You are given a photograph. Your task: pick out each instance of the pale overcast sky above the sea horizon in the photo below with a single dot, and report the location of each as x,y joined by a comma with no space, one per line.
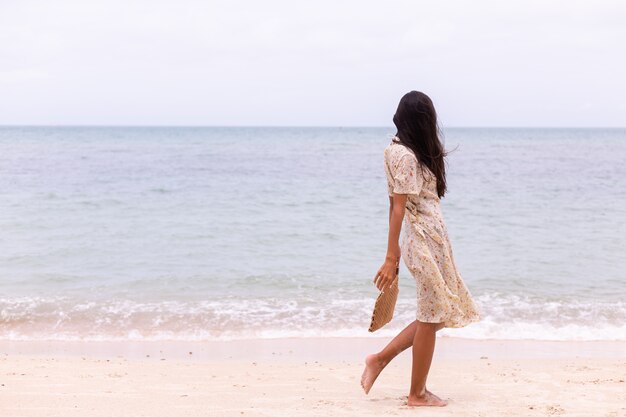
316,63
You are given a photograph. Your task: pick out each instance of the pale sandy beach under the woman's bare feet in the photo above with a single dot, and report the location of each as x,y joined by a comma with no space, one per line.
307,377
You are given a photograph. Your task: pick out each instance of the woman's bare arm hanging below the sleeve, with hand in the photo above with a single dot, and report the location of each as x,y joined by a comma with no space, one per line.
387,271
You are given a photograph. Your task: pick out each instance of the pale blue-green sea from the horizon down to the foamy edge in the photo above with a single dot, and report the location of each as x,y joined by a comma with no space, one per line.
218,233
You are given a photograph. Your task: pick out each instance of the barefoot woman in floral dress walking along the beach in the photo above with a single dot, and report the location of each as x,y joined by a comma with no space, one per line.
416,181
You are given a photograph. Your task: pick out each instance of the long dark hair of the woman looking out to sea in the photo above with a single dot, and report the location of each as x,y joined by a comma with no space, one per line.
416,120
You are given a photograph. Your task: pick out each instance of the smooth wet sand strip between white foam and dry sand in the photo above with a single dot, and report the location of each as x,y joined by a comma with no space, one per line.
296,348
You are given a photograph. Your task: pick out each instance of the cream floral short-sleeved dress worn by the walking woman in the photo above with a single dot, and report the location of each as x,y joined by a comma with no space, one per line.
425,247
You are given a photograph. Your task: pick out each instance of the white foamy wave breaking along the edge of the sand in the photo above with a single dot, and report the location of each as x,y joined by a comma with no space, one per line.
504,316
